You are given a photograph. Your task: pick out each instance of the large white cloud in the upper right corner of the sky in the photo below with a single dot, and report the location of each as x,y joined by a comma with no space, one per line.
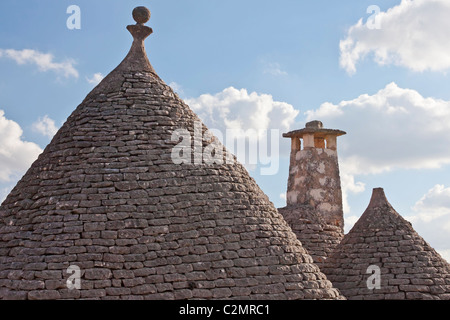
412,34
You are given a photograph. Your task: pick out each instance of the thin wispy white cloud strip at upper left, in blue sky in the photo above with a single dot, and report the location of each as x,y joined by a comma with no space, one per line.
44,61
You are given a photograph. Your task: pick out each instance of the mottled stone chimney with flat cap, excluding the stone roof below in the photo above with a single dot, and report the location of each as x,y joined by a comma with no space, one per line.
314,172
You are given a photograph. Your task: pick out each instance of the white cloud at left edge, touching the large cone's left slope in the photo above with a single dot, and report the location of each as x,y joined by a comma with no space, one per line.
16,155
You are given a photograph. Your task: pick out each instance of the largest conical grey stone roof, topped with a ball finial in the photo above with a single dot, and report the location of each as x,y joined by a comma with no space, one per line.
106,197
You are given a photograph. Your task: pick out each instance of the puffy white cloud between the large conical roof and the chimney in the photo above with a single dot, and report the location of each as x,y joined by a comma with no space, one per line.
252,118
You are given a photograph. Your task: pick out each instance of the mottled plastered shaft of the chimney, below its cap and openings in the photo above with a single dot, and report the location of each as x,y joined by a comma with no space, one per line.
314,180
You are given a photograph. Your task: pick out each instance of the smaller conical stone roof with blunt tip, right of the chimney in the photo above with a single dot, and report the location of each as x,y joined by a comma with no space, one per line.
384,244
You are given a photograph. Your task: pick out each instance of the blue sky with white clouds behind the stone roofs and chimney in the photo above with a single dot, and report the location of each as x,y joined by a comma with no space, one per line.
375,69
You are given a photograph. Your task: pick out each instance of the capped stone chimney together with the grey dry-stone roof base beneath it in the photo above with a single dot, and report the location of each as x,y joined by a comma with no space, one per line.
314,197
